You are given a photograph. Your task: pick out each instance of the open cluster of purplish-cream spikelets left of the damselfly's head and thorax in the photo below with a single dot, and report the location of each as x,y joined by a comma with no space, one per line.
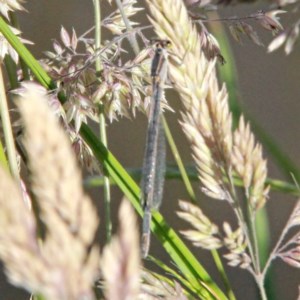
119,86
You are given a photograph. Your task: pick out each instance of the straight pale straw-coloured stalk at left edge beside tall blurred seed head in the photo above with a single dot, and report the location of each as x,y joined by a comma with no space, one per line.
7,130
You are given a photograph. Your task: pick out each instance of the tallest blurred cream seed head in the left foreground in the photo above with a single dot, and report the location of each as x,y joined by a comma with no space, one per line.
68,214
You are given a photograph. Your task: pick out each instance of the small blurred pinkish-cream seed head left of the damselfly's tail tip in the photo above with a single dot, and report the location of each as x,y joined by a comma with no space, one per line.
121,259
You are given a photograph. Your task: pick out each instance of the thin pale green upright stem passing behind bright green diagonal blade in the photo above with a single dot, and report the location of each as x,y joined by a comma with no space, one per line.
102,124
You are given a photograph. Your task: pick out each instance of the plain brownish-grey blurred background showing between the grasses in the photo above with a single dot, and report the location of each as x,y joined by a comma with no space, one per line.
268,87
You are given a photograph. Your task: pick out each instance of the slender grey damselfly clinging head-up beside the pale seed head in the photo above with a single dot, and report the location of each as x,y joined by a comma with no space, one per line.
155,152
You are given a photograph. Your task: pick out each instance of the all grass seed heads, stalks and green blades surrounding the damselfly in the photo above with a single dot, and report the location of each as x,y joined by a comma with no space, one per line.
48,225
